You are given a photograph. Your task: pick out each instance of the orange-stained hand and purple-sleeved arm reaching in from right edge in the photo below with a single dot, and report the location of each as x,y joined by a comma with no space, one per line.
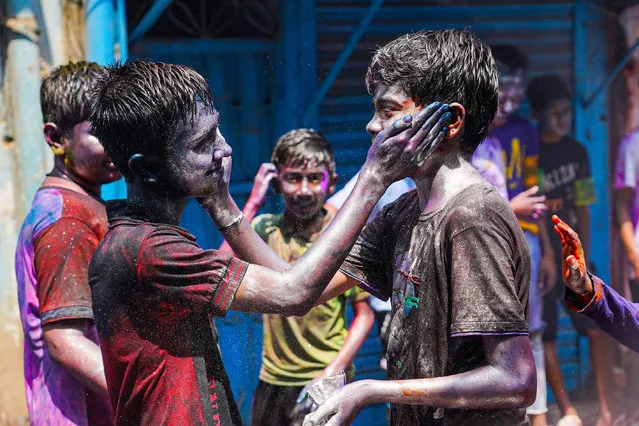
589,296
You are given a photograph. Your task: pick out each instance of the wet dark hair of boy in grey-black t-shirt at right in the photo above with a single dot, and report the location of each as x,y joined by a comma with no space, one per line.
446,66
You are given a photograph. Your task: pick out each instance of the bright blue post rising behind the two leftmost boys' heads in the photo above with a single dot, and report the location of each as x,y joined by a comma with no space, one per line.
100,32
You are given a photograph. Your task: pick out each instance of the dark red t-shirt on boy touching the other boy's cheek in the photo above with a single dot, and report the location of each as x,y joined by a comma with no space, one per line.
154,293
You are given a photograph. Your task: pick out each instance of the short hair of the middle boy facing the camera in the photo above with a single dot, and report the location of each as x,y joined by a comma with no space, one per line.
301,147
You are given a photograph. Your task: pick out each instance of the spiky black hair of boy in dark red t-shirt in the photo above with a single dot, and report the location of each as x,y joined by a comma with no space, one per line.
141,106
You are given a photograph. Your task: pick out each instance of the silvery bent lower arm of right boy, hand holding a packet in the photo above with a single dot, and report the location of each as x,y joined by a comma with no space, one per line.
508,381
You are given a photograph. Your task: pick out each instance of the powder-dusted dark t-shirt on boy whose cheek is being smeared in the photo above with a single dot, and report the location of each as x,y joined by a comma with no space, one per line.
453,275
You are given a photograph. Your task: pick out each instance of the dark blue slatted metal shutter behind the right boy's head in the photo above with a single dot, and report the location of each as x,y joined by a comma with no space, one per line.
542,29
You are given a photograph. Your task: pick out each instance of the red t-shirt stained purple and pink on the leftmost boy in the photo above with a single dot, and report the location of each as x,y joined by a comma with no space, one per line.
56,242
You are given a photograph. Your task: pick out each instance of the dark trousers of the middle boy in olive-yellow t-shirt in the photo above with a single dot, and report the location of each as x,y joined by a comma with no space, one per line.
272,404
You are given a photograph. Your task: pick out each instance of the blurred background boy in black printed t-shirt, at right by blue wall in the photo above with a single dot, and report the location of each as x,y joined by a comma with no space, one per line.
566,181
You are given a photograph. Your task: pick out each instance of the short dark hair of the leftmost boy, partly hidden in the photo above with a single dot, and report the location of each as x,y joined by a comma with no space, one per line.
65,94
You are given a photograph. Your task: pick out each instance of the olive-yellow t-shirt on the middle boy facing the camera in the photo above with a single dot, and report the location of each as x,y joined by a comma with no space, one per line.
297,349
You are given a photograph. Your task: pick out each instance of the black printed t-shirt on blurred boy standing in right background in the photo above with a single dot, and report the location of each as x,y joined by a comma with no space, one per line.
566,180
